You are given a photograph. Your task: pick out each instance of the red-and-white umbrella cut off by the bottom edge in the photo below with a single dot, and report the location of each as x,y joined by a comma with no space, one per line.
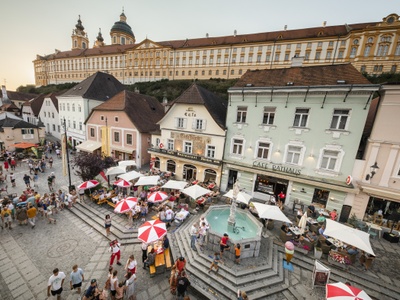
341,291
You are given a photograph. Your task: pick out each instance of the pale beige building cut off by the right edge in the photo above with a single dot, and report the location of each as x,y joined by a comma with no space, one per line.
382,190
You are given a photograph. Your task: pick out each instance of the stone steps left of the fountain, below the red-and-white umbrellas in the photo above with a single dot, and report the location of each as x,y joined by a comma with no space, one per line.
95,219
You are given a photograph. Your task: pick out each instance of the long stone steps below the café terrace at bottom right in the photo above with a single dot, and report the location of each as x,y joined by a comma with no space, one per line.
374,287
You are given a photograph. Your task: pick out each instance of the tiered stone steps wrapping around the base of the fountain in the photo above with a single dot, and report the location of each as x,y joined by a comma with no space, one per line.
259,282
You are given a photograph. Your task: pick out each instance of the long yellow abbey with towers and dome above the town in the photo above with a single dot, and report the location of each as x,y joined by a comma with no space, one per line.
373,48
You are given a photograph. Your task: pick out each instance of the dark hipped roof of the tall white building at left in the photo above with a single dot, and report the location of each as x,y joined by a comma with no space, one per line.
100,86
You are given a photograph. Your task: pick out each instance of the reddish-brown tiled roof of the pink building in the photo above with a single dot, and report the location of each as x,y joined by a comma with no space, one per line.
143,111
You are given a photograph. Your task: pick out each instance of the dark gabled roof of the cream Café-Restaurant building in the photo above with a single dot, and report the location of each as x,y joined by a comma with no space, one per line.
216,106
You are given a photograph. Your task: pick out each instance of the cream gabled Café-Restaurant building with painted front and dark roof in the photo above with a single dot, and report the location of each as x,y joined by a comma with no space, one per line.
191,139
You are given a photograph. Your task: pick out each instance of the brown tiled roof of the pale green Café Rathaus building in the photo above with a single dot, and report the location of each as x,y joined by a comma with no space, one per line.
303,76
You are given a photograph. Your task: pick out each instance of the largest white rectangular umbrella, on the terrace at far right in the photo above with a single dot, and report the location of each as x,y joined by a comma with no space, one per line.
348,235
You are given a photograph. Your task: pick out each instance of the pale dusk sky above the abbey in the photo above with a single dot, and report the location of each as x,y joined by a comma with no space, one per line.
36,27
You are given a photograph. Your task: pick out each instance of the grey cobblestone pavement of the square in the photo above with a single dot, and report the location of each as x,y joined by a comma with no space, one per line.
28,256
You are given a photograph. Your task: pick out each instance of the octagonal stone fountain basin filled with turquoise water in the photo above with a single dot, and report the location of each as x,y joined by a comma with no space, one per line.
246,232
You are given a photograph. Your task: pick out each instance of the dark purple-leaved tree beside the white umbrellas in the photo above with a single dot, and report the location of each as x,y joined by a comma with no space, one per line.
88,165
